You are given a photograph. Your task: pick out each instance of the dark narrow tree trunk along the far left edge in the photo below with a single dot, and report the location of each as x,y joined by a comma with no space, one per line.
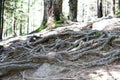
1,17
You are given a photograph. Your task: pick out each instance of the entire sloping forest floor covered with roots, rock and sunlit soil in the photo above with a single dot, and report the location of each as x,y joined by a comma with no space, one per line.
74,51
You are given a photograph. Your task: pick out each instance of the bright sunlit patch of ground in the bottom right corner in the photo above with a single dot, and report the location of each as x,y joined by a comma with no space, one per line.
107,73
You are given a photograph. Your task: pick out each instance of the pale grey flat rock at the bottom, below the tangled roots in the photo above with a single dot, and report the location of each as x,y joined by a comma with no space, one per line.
45,72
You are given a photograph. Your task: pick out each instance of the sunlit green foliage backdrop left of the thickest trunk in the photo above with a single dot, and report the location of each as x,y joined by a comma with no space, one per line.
17,11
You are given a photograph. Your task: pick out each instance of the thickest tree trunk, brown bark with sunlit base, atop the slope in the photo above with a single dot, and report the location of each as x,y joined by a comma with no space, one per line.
52,12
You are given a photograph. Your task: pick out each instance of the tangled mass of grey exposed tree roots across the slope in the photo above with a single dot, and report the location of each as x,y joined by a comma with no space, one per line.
69,48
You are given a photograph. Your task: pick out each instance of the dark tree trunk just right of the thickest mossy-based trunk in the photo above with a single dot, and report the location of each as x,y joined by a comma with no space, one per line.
73,10
